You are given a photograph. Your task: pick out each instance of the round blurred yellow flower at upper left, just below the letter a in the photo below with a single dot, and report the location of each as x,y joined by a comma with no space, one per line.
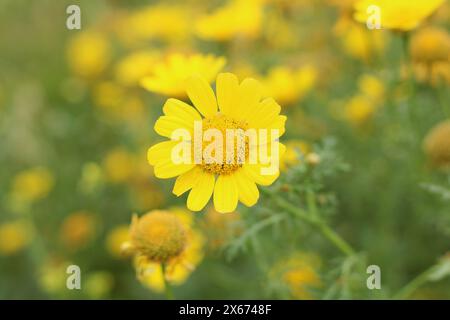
88,54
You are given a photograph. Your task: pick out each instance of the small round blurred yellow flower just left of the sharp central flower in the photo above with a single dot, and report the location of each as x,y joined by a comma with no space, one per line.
119,165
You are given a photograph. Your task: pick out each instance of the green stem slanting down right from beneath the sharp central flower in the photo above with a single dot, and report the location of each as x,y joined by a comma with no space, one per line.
312,219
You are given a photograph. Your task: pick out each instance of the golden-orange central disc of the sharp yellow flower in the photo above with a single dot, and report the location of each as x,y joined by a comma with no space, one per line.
238,143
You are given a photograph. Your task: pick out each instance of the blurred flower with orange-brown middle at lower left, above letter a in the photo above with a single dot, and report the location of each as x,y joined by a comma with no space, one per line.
78,229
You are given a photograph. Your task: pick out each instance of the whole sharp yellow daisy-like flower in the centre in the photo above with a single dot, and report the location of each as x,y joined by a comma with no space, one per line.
238,108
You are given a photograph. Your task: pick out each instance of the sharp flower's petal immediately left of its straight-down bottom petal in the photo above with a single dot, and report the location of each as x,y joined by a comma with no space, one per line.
201,192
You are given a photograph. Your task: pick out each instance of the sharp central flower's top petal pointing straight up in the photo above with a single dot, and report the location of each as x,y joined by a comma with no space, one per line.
227,86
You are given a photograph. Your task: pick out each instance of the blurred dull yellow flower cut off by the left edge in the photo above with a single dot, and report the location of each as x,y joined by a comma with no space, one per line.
14,236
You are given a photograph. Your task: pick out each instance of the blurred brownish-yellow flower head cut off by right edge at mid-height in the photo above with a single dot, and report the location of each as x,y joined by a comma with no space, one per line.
437,145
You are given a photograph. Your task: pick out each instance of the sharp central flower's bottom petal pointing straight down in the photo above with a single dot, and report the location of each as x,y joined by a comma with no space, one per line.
225,194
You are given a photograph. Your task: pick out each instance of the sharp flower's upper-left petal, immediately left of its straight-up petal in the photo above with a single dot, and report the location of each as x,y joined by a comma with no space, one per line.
202,96
